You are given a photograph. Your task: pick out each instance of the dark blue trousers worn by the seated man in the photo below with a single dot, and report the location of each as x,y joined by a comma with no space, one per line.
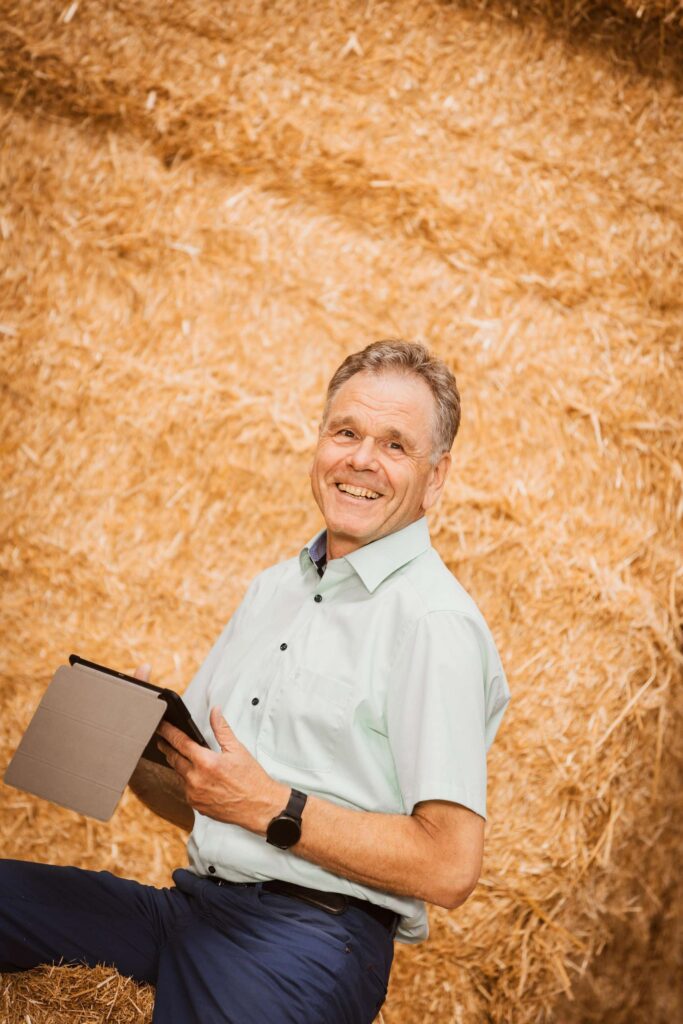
231,954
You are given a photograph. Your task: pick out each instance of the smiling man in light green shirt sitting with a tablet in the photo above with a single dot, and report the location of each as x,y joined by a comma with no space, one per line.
363,689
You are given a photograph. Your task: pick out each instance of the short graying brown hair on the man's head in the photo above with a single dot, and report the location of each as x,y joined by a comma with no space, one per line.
410,358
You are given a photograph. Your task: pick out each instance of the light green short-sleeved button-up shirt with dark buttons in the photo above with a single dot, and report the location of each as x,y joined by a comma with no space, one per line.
376,688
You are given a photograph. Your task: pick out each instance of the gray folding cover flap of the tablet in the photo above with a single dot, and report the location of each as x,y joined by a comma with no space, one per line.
84,741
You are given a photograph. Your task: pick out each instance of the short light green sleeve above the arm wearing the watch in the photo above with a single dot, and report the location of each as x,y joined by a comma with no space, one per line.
447,699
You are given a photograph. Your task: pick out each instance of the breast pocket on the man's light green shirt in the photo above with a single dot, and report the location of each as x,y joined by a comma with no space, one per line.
306,719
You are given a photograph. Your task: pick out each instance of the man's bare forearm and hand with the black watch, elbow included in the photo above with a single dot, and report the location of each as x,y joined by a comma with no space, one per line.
433,855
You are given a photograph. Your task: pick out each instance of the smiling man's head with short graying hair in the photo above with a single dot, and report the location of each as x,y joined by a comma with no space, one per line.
392,414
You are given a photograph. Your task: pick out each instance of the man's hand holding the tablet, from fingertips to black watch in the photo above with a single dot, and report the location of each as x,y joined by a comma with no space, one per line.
230,786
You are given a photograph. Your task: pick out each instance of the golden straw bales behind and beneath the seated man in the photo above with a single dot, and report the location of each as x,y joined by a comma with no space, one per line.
202,216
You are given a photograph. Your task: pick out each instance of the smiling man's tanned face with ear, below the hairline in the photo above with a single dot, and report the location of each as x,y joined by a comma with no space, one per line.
372,473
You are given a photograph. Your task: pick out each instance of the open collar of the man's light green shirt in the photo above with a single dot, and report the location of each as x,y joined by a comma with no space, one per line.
374,563
